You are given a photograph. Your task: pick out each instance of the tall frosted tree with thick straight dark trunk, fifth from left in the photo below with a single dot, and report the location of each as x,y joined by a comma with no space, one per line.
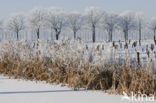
93,16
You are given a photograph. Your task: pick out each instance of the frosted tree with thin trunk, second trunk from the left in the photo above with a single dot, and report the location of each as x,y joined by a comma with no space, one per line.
37,19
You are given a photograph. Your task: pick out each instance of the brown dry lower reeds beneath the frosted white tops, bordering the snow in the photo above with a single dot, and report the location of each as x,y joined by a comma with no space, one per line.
94,77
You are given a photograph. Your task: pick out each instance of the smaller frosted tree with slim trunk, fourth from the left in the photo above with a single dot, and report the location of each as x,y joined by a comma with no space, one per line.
75,21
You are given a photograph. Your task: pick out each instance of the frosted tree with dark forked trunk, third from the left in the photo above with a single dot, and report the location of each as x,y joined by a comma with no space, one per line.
56,19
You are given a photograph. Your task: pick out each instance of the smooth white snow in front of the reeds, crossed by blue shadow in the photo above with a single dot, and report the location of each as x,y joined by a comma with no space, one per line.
22,91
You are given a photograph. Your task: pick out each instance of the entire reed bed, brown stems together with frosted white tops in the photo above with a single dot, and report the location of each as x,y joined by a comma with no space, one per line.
71,63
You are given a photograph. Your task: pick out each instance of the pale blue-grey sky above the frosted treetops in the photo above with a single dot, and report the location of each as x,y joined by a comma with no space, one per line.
148,7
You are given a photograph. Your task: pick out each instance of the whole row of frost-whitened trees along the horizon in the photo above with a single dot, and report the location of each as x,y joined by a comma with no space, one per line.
56,19
